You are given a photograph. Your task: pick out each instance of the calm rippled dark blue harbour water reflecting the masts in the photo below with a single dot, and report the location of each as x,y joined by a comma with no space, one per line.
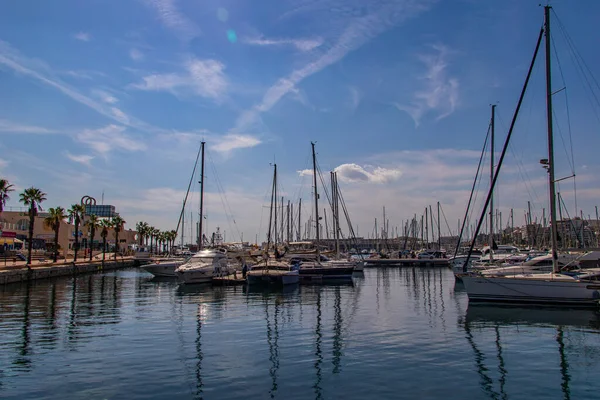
396,333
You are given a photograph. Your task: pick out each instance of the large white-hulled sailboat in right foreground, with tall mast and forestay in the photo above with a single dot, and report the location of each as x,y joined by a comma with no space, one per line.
551,288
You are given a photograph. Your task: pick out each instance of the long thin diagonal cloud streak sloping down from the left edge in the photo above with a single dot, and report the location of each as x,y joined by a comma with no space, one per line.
13,60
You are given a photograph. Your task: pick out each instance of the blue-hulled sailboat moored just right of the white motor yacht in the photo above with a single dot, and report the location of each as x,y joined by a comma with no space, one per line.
272,271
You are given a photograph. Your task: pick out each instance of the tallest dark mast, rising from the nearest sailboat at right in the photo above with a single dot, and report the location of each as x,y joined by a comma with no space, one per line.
553,232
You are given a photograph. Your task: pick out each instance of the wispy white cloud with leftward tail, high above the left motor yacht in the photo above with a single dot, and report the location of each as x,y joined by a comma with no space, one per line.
205,78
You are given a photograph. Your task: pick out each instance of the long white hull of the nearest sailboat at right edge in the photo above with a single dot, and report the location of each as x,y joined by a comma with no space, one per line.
531,291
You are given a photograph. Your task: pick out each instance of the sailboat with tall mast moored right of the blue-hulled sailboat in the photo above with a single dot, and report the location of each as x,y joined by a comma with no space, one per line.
317,270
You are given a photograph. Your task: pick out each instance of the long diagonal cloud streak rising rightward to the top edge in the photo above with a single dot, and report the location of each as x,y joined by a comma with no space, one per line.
356,33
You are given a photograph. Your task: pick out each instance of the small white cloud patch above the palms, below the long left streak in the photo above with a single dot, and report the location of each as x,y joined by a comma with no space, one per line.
111,137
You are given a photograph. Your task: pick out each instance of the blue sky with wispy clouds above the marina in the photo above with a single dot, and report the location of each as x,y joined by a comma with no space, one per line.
113,99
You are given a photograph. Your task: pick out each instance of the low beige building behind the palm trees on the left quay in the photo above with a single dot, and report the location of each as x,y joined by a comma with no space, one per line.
15,232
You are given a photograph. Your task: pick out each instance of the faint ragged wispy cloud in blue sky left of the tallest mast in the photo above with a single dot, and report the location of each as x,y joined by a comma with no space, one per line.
439,94
